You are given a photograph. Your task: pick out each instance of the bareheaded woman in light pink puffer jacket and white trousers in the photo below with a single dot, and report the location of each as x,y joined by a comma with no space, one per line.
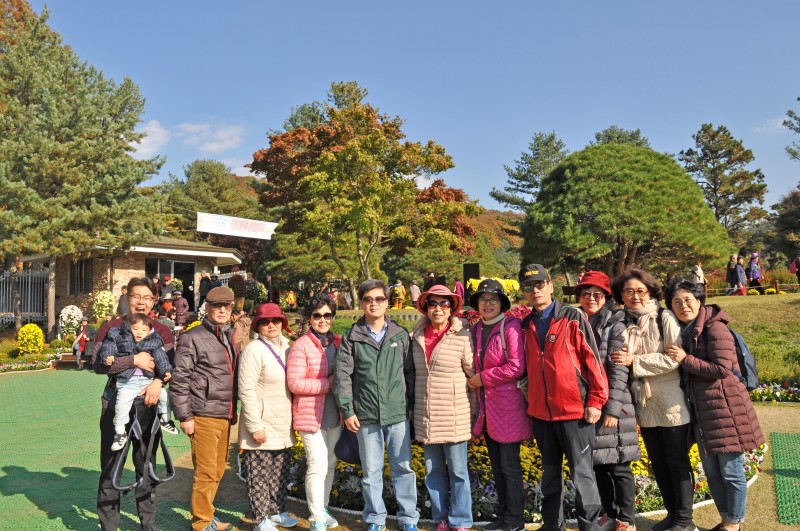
315,414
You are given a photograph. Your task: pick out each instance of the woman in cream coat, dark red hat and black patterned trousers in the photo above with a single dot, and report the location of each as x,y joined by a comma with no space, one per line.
265,427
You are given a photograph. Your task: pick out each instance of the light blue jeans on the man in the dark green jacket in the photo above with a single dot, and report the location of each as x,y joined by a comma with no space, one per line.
371,438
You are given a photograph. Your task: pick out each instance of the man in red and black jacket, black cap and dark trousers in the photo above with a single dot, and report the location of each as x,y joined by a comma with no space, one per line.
567,388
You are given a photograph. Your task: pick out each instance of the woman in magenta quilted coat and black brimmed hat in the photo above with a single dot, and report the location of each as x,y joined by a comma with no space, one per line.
502,417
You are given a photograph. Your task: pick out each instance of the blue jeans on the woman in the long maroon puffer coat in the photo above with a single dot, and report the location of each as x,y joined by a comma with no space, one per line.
726,481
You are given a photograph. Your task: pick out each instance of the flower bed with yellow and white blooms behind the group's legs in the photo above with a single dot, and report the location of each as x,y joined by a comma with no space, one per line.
346,491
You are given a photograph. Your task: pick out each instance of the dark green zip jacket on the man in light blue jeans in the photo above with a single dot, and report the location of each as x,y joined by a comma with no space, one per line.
374,382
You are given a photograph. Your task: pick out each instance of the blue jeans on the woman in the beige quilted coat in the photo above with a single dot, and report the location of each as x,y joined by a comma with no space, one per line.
448,484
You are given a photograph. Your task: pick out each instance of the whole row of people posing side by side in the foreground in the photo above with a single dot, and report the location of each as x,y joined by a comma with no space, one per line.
577,380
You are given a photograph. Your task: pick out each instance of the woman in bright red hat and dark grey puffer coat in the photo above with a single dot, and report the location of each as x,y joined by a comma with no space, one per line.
617,442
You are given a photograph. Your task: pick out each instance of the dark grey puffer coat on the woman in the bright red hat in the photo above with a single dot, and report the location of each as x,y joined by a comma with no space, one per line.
620,444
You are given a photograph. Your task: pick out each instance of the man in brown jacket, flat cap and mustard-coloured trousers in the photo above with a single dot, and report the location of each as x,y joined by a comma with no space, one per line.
203,395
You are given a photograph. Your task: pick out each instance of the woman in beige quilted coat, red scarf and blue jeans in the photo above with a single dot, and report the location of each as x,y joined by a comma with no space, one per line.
442,354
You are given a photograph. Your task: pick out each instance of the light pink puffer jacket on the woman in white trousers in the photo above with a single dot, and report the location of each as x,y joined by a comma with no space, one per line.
307,376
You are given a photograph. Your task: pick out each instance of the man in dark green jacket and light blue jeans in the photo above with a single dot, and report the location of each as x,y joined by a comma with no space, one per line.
374,388
